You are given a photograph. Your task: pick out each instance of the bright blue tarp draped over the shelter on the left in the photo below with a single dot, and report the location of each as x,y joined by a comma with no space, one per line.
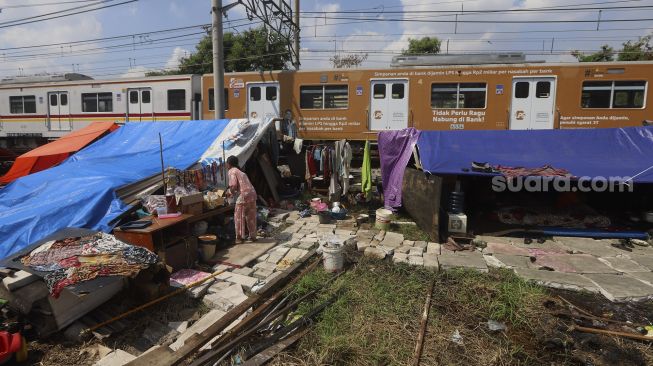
80,193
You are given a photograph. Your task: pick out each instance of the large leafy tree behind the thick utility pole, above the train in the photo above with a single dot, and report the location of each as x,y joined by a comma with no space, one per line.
252,50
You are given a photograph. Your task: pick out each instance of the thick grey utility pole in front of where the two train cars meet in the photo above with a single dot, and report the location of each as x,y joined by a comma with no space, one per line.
218,59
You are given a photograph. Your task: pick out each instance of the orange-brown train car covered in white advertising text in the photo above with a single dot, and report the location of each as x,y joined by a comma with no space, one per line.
357,103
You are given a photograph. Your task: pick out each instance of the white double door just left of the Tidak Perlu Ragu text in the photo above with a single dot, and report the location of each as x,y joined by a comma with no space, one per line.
388,104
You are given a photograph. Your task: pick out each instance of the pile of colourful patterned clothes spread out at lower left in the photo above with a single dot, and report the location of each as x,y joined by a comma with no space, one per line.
74,260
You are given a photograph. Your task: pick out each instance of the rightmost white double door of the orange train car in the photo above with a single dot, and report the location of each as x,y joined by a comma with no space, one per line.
533,102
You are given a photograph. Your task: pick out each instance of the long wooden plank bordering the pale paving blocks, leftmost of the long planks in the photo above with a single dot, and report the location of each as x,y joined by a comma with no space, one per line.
164,356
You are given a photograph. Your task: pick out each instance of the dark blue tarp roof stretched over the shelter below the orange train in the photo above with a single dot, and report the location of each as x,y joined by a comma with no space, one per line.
607,152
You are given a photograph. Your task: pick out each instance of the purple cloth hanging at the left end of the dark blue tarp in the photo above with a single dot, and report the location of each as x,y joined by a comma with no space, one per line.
395,148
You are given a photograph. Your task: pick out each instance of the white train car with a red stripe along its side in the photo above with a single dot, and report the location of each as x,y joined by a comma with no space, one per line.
34,110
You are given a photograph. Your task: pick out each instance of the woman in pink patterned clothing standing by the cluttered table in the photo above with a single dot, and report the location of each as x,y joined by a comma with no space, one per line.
245,210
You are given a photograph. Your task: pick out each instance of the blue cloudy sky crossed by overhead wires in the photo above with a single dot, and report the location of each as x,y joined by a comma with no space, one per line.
380,29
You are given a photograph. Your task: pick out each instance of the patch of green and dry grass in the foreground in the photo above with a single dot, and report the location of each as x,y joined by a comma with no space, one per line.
376,317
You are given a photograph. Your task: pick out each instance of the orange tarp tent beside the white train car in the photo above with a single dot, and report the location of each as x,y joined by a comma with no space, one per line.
57,151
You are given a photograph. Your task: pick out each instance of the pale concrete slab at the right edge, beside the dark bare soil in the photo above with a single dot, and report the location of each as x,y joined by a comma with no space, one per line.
620,288
